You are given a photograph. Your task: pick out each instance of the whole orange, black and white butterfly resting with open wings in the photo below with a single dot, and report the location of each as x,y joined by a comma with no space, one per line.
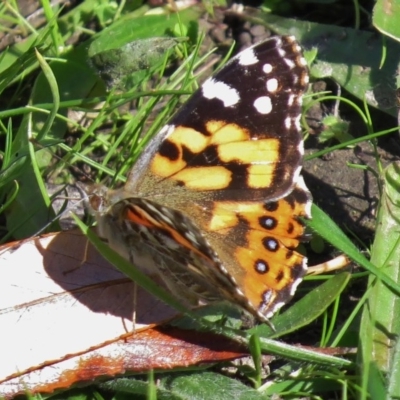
214,204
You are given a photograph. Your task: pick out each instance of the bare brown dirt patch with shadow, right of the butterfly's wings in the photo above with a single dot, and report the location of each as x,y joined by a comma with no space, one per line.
348,194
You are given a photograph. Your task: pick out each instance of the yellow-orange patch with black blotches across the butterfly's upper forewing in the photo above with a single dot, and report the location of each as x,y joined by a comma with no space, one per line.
226,144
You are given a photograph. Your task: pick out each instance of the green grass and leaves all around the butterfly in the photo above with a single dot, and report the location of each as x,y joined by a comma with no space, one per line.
43,79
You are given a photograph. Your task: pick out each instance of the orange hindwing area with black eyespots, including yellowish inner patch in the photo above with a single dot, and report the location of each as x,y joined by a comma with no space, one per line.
270,268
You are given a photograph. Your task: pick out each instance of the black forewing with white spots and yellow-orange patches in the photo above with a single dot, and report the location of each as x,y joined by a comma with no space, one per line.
239,131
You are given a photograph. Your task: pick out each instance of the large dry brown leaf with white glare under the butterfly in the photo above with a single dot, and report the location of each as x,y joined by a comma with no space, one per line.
68,318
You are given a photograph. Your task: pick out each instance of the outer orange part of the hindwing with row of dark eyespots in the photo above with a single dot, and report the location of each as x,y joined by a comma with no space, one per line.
273,268
